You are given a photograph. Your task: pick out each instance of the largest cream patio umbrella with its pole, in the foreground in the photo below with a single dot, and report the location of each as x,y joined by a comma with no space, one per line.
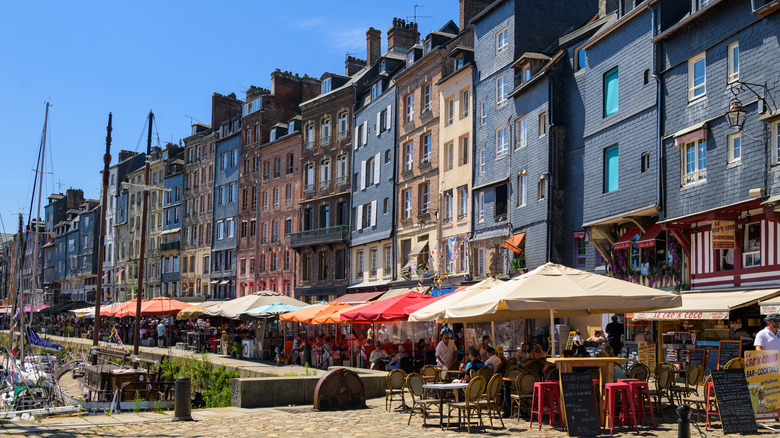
555,289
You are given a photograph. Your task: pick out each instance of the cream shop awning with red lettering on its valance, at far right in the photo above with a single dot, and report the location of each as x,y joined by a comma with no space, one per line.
709,304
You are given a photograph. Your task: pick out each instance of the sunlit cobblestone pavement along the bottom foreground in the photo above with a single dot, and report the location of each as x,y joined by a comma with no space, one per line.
298,420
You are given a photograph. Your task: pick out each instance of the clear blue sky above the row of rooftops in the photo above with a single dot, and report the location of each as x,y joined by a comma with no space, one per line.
92,58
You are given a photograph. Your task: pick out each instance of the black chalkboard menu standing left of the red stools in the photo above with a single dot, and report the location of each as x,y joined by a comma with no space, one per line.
579,404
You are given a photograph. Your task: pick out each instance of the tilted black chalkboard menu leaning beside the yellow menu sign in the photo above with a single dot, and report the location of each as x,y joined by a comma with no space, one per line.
734,406
